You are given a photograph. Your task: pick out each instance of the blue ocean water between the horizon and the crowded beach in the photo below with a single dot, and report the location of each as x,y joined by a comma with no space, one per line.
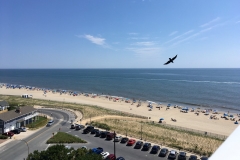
212,88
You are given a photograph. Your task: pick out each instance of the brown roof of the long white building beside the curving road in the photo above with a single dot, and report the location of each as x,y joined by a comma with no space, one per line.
6,116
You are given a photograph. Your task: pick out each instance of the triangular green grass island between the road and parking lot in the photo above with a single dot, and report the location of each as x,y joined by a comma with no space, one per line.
62,137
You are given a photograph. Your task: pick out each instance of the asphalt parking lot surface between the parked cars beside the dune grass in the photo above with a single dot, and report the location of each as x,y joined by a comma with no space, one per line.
122,149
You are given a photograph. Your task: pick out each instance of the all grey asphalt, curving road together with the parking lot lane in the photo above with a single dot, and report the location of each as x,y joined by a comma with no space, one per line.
18,150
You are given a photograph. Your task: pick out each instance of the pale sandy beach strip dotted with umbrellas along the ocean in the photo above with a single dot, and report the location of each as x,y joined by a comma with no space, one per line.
189,120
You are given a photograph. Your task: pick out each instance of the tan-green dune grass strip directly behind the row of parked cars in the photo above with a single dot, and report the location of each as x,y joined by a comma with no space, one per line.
183,140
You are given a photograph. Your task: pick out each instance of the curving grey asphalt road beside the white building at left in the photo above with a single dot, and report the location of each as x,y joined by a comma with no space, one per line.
18,150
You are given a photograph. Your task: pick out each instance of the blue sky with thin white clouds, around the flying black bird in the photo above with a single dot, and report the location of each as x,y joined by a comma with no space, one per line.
119,33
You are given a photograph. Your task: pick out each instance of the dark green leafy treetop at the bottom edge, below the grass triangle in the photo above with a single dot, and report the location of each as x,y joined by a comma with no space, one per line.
60,152
